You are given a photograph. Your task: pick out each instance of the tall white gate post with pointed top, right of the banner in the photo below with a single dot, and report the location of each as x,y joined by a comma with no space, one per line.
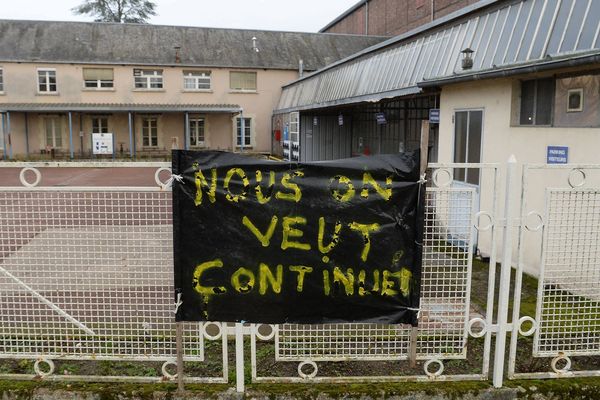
503,296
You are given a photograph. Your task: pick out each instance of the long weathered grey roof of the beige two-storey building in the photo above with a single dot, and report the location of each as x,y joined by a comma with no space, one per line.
145,44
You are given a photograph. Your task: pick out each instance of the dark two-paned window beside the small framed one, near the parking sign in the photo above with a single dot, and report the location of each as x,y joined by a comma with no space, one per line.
537,96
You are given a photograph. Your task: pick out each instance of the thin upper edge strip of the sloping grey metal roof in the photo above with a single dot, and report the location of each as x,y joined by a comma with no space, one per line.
417,31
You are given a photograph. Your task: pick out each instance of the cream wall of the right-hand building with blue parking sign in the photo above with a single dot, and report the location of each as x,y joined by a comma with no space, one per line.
528,144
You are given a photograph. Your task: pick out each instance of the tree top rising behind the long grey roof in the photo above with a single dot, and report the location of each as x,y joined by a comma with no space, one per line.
137,11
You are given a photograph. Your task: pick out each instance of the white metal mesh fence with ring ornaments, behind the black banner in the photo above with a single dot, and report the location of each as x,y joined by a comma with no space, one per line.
86,277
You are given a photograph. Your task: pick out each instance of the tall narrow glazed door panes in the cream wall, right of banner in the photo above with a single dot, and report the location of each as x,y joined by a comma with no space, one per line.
467,144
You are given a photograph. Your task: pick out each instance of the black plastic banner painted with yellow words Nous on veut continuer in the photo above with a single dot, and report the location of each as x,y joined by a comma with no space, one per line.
272,242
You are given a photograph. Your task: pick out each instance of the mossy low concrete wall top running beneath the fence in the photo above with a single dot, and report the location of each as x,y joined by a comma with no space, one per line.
581,388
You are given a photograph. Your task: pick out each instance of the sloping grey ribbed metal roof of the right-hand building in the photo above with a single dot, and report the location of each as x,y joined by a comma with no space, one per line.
504,36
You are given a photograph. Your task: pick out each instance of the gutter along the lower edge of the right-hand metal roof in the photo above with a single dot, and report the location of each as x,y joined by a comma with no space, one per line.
516,70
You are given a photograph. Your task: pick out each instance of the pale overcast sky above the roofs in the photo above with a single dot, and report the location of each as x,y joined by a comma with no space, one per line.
288,15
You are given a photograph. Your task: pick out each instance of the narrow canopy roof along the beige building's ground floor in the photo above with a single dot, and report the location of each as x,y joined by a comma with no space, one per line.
120,107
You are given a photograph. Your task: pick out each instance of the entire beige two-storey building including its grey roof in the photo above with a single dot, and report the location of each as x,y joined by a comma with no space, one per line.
149,88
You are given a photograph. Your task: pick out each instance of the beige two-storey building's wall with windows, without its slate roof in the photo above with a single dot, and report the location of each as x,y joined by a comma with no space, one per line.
156,117
